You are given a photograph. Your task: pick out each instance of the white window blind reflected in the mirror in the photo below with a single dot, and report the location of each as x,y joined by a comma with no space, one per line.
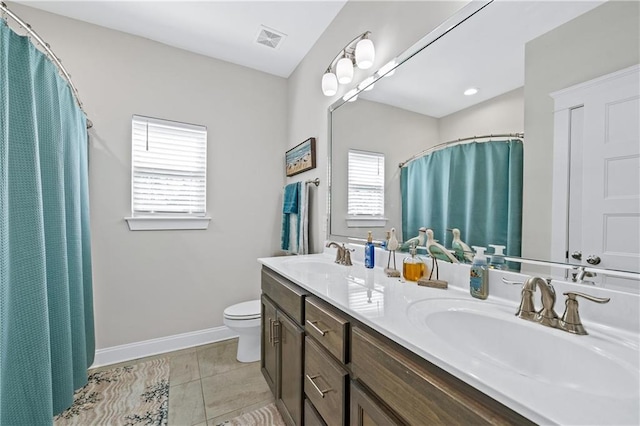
366,183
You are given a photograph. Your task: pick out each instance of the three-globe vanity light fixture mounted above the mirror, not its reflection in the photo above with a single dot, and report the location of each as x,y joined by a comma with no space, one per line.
359,51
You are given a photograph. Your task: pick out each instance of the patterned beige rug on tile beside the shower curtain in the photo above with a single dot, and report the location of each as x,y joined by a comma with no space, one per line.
132,395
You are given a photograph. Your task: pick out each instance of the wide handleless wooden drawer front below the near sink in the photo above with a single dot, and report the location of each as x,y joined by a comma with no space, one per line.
404,383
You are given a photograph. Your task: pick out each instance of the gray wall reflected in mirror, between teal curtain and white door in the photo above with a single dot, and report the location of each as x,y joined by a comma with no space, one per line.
599,42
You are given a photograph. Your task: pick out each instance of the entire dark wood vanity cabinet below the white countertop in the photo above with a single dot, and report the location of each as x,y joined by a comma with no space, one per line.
326,368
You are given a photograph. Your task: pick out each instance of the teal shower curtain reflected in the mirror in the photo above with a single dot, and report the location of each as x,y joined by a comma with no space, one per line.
476,187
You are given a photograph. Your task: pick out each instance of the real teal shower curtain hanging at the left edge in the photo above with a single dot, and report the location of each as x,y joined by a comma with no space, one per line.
46,302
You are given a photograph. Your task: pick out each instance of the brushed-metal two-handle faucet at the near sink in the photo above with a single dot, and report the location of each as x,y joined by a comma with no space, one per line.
547,316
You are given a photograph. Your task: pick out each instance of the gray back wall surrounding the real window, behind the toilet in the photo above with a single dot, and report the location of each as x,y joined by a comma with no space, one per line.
151,284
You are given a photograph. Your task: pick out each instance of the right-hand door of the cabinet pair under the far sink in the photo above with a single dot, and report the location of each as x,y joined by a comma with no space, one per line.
290,366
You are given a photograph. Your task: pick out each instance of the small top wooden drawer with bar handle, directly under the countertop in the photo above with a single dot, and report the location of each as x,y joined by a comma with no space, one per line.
327,327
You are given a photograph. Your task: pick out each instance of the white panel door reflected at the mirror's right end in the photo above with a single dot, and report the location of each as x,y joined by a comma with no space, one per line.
611,173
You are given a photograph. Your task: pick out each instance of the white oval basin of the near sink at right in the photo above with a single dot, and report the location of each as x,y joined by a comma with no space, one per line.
490,332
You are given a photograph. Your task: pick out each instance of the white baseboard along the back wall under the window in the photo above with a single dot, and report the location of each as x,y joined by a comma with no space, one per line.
121,353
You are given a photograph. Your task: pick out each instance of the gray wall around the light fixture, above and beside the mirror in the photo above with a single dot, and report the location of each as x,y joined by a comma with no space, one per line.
395,26
